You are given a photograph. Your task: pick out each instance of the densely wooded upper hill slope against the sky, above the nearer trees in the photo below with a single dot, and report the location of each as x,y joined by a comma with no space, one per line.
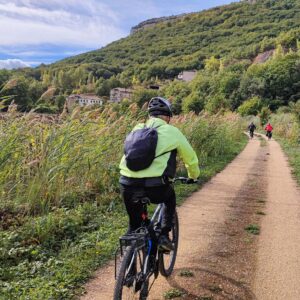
235,30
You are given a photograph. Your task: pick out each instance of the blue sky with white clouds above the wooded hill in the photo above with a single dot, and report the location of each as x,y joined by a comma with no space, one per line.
43,31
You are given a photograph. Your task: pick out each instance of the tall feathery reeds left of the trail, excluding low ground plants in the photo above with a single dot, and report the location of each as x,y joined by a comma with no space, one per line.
44,166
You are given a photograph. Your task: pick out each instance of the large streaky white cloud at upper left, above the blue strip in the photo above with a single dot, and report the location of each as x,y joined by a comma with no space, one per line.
70,22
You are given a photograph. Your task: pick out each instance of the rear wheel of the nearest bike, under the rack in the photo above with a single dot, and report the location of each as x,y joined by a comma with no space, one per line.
130,283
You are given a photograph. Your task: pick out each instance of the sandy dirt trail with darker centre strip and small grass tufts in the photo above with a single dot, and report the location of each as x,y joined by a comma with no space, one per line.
217,257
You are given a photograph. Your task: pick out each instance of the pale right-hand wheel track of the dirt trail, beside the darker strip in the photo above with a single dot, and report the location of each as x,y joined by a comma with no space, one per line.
278,269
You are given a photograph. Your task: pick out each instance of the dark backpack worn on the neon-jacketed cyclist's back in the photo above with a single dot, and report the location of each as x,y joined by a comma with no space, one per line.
139,148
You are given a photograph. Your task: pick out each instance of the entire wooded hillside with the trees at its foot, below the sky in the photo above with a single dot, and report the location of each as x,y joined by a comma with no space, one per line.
221,43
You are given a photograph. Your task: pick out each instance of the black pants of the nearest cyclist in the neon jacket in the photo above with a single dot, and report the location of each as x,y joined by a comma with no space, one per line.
158,194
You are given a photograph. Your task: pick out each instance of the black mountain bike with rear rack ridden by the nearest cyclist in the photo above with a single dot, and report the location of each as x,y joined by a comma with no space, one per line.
139,256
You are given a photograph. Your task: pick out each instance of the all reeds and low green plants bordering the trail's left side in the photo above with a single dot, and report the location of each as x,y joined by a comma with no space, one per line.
60,210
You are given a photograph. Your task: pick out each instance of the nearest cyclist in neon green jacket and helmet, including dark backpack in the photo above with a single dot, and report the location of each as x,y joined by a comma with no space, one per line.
150,161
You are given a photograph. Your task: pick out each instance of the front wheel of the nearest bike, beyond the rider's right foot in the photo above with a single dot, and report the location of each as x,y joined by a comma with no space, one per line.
167,259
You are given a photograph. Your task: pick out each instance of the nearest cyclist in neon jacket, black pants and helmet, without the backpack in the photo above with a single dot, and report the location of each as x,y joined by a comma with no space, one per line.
154,180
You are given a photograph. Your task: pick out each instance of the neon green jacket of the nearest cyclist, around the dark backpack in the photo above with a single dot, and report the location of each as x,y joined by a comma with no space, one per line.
170,139
